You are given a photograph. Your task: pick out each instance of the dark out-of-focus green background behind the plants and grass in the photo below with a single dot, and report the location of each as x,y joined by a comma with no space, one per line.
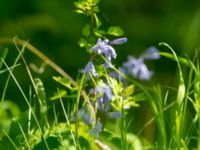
54,28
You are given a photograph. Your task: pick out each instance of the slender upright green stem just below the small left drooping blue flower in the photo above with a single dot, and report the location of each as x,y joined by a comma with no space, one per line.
76,110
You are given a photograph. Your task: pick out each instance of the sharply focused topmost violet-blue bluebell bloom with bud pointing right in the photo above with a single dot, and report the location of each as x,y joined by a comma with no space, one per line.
103,47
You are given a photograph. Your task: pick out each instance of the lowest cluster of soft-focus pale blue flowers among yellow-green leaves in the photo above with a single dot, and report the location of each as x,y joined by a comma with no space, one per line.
104,97
